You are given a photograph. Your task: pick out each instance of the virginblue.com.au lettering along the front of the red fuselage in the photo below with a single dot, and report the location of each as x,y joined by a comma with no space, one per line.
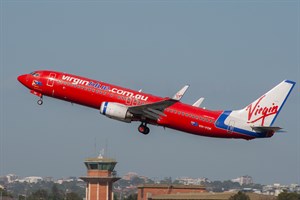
78,81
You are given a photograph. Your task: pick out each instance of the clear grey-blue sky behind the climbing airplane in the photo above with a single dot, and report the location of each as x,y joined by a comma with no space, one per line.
230,52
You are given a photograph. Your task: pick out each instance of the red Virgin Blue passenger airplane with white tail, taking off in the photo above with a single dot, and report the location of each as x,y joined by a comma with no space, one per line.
253,121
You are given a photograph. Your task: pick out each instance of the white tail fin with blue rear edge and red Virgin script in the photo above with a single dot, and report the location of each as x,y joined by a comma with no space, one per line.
264,111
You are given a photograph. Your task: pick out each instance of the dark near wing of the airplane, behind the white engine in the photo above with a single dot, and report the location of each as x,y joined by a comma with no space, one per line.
153,110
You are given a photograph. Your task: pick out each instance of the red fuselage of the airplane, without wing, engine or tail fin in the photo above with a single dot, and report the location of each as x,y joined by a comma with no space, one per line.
93,93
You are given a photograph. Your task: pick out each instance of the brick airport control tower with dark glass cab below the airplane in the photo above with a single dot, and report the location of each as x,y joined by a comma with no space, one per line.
100,177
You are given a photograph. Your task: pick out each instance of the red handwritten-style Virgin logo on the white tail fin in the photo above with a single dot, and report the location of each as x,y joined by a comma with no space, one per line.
257,112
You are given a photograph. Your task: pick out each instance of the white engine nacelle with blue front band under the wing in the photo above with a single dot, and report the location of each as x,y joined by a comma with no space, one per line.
116,111
